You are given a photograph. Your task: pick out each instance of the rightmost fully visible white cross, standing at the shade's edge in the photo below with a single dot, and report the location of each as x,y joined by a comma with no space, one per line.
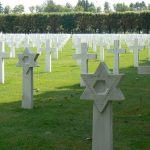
136,48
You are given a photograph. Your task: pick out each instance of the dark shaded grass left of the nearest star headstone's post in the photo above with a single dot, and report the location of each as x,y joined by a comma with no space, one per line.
55,122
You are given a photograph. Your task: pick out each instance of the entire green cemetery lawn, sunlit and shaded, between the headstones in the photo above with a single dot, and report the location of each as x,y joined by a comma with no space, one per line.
59,119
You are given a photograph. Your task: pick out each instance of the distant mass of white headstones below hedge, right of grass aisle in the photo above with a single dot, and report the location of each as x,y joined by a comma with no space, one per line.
106,40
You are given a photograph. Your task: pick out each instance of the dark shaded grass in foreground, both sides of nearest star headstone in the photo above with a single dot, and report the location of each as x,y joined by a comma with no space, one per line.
60,120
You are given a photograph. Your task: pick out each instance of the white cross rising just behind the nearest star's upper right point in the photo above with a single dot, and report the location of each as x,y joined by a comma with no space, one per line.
117,51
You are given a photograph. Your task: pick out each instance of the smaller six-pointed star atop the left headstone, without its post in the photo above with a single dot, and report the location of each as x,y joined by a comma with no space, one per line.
27,60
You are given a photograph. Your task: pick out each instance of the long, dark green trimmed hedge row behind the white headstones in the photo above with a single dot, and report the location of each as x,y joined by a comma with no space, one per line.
76,22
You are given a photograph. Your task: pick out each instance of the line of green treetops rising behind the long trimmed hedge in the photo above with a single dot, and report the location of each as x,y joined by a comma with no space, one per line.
81,6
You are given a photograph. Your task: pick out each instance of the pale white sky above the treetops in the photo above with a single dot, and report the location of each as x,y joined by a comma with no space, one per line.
28,3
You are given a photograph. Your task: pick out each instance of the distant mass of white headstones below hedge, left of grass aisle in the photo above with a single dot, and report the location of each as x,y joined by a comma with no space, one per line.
34,40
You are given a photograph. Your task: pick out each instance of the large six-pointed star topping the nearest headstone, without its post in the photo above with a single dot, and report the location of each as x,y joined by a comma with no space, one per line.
102,87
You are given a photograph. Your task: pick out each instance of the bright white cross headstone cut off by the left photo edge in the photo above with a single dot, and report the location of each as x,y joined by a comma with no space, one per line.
3,55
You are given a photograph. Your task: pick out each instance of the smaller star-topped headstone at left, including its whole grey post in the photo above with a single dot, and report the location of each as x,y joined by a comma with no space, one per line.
27,60
